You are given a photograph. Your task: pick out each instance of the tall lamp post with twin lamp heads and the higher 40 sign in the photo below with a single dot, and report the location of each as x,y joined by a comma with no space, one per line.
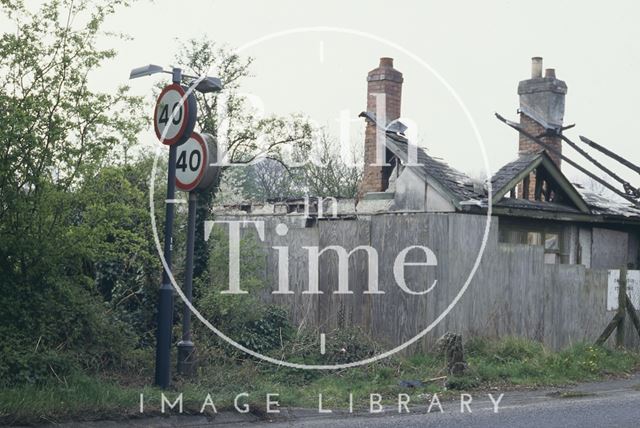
174,119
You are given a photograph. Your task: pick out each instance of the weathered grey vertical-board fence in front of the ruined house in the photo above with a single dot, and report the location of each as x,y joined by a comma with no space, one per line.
513,292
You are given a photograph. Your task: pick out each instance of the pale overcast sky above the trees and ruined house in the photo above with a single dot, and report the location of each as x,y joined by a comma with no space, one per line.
454,55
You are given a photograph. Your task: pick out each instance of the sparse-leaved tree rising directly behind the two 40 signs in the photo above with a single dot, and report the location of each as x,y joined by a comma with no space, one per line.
246,135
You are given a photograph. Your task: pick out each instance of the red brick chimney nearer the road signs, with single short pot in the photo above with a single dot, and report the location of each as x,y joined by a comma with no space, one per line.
384,92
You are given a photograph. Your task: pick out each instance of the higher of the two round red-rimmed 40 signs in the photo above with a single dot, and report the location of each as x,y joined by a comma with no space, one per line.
173,118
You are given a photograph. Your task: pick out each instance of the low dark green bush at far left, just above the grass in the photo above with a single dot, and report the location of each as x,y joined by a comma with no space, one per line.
61,327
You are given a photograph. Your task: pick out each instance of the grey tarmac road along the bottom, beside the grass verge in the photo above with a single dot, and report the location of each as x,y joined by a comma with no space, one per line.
612,403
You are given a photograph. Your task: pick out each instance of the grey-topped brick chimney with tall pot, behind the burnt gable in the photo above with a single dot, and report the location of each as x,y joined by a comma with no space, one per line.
541,100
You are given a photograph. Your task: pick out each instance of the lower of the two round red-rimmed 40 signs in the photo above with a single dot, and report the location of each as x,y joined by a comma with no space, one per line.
193,163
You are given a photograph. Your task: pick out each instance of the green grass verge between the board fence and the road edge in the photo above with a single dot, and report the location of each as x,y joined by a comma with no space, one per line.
506,363
